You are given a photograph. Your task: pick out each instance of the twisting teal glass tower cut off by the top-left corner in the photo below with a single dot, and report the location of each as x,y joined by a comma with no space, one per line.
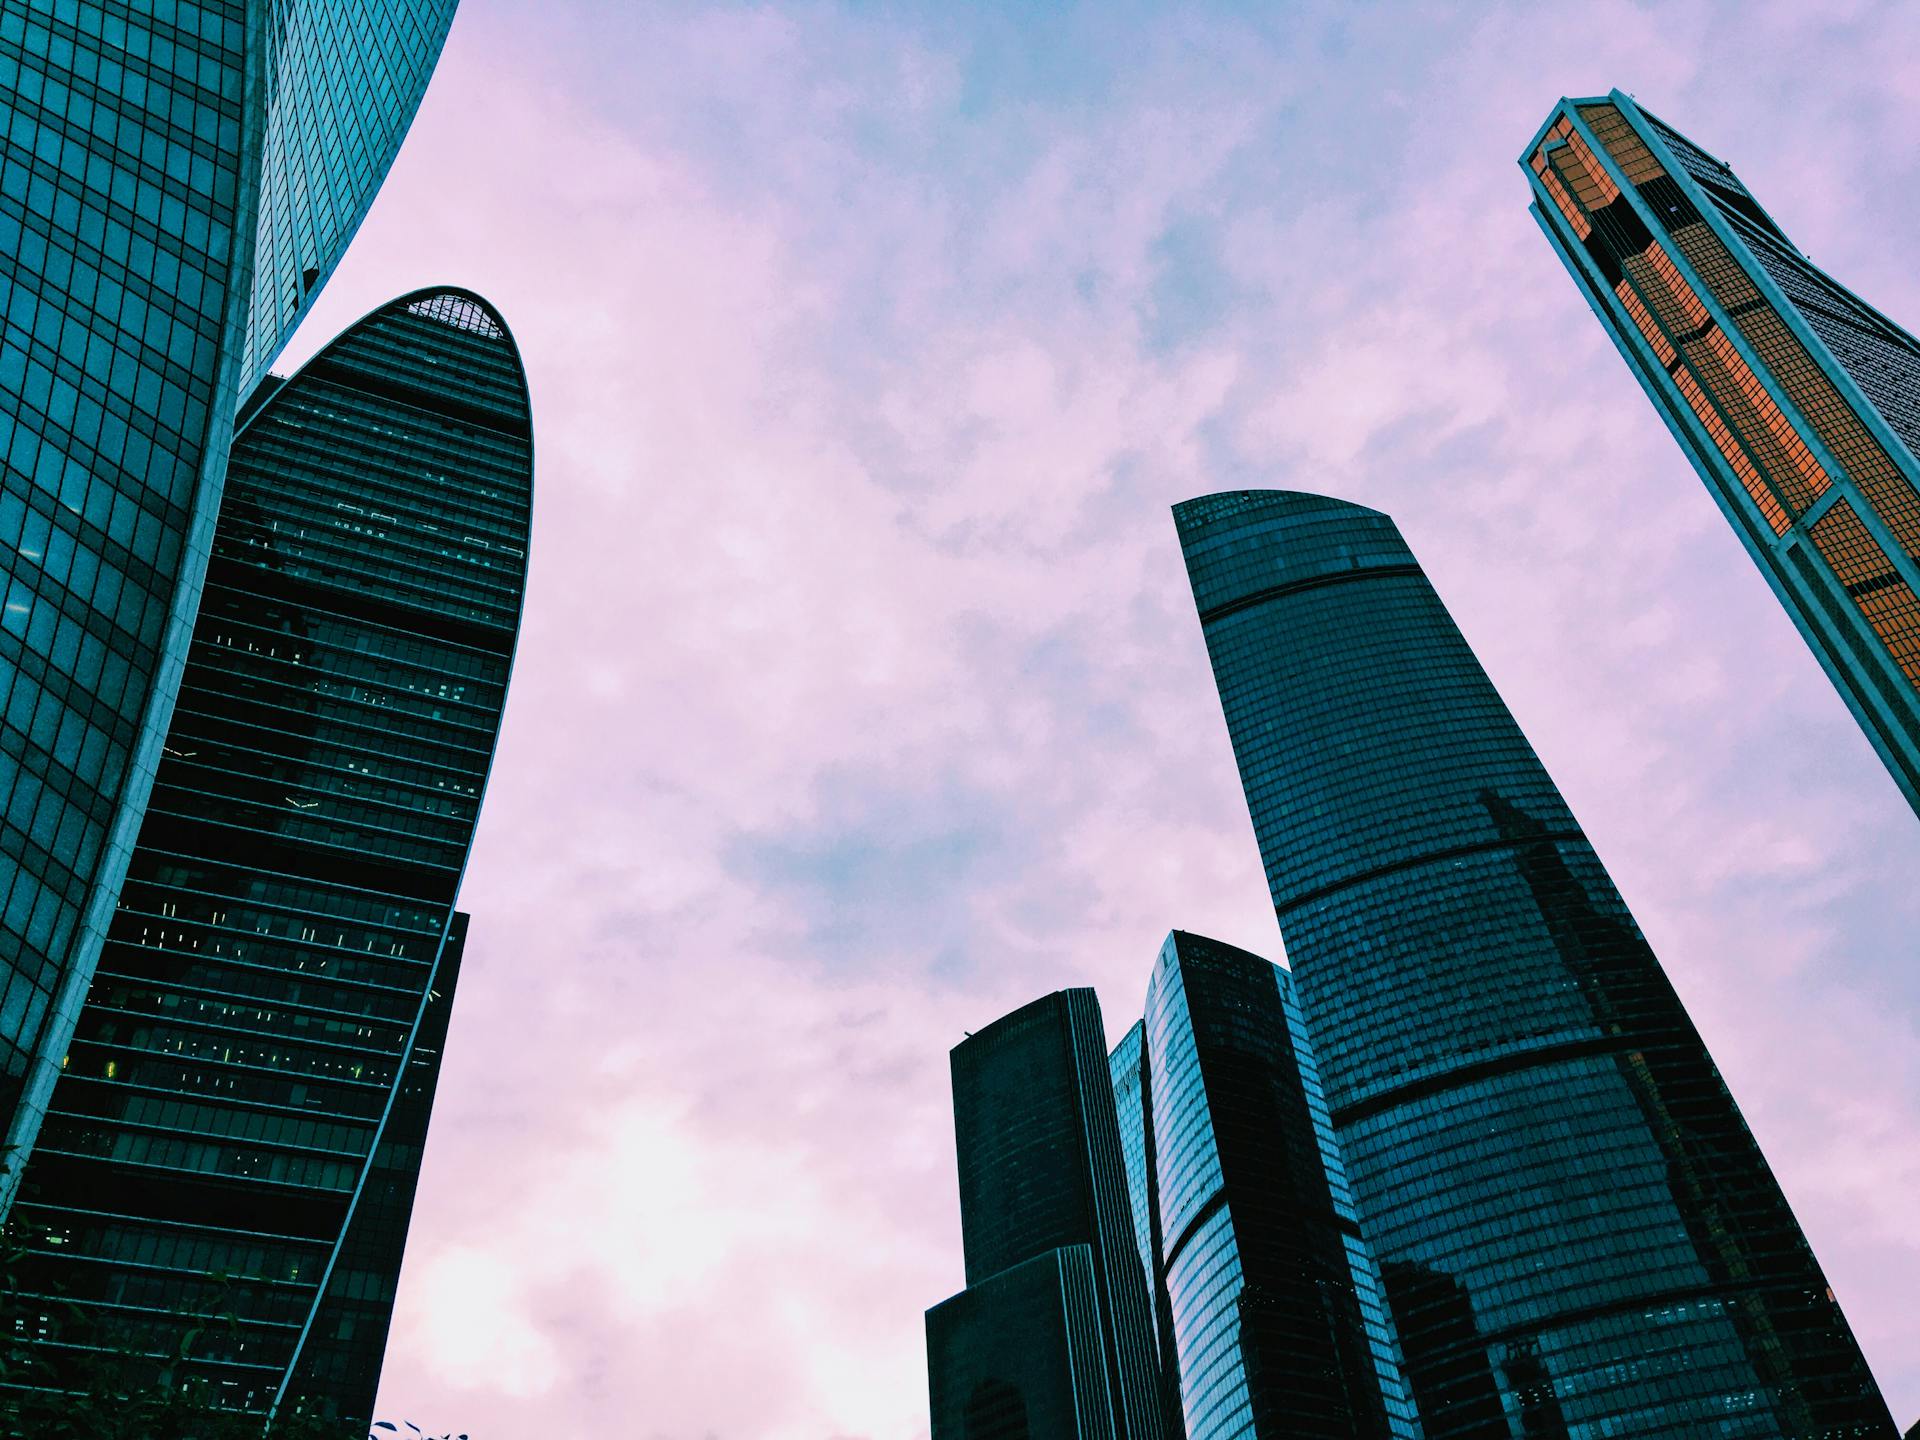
176,185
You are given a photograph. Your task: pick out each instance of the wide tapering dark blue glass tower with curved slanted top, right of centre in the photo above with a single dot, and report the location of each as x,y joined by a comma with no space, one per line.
1575,1230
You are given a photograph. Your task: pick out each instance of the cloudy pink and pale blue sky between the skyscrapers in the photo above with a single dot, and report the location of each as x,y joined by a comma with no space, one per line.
861,696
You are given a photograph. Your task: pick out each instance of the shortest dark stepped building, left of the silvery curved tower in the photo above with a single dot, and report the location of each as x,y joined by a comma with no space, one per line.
1044,1188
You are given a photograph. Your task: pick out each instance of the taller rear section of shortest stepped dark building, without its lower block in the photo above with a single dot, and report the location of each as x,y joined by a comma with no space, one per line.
1042,1170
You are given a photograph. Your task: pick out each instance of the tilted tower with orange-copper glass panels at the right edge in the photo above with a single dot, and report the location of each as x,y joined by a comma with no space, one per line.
1796,400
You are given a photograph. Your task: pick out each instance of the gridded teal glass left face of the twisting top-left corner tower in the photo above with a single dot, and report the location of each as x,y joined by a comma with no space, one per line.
120,178
